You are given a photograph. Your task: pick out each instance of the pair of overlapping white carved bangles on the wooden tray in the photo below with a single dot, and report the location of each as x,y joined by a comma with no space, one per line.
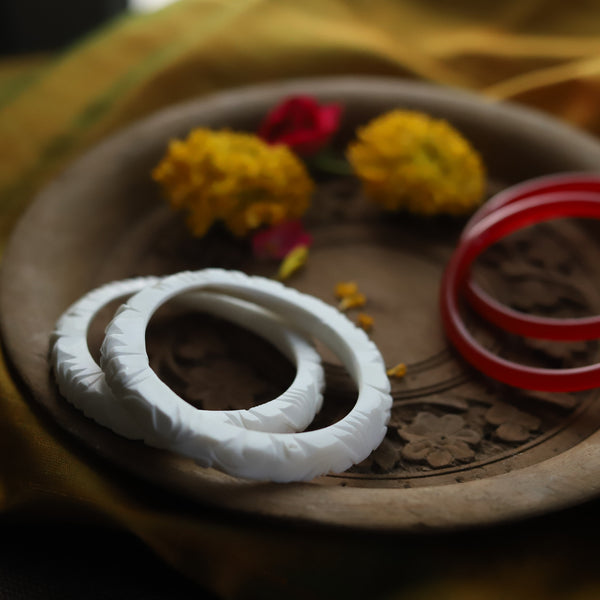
265,442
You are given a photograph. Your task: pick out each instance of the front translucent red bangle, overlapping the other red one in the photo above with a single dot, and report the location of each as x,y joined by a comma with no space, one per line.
481,235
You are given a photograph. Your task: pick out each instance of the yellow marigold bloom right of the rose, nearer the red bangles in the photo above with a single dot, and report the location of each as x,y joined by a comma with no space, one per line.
408,160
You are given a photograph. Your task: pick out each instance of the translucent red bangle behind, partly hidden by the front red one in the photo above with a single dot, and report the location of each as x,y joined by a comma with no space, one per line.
543,189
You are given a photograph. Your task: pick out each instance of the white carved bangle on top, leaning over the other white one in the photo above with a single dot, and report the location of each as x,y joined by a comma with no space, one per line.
172,424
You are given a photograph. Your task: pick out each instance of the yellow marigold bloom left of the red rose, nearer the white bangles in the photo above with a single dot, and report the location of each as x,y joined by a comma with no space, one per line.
235,178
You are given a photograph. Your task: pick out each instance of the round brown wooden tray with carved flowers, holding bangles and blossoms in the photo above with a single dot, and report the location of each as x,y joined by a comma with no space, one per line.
461,449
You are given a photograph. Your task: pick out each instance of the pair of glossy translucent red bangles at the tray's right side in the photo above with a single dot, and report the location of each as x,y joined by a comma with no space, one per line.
551,197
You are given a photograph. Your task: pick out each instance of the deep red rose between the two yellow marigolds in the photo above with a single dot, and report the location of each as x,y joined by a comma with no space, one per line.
301,123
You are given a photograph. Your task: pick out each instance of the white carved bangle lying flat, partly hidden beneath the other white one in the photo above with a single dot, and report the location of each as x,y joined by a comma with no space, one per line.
81,381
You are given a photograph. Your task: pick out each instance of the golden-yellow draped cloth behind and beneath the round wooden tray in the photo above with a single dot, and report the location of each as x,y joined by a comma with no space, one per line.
544,53
